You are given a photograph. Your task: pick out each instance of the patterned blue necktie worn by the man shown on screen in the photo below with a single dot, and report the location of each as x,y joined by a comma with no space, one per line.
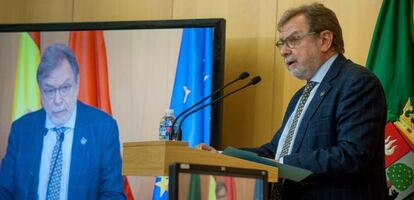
55,172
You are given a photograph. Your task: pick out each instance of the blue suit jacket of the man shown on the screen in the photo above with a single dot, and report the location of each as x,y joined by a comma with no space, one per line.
95,169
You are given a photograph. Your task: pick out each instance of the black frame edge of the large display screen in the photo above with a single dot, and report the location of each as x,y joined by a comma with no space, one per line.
218,24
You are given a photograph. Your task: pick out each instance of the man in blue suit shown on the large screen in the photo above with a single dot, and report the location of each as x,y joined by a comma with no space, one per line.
66,150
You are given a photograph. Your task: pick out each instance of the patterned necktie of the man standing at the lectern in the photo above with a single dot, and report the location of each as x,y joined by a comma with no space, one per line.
288,141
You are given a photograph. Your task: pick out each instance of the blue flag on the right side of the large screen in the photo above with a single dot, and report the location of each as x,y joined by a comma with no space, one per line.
193,82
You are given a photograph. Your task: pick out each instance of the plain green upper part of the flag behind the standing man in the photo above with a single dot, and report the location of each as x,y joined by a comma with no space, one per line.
391,55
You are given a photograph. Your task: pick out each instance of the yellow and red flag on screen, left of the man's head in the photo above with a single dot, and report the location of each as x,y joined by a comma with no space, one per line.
26,92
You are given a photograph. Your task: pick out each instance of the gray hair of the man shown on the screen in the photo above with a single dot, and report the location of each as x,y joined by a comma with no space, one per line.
52,57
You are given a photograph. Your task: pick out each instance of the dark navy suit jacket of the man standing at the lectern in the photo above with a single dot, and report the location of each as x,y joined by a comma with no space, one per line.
340,138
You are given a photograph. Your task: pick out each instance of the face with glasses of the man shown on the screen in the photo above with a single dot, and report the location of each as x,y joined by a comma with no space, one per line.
59,93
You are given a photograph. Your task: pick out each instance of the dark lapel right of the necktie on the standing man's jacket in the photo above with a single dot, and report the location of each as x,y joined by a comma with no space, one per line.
323,90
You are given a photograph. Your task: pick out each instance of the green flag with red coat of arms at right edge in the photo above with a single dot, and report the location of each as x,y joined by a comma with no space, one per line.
391,59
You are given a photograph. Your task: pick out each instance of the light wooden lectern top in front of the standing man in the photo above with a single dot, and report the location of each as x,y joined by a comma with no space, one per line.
152,158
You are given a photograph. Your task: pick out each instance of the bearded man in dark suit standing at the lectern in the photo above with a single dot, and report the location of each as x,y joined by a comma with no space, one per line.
334,126
